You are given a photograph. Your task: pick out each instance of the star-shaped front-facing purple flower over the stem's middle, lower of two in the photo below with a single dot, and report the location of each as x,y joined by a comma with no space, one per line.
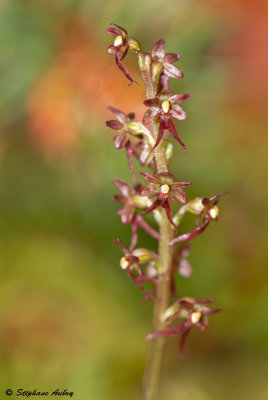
164,187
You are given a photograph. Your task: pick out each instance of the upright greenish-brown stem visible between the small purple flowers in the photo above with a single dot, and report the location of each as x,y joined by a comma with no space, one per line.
155,359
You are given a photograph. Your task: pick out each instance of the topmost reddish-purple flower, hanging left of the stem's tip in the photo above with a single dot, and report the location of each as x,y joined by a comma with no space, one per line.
120,47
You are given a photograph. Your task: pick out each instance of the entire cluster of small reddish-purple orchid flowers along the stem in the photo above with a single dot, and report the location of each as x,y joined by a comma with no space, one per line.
141,141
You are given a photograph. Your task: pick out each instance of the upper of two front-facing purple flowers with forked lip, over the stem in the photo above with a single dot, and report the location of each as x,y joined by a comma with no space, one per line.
165,107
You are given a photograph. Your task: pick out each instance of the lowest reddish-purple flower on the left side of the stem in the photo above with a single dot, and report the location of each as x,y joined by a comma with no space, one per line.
131,262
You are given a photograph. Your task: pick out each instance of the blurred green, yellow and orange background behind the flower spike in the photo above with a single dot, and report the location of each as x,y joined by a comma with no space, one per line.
69,316
